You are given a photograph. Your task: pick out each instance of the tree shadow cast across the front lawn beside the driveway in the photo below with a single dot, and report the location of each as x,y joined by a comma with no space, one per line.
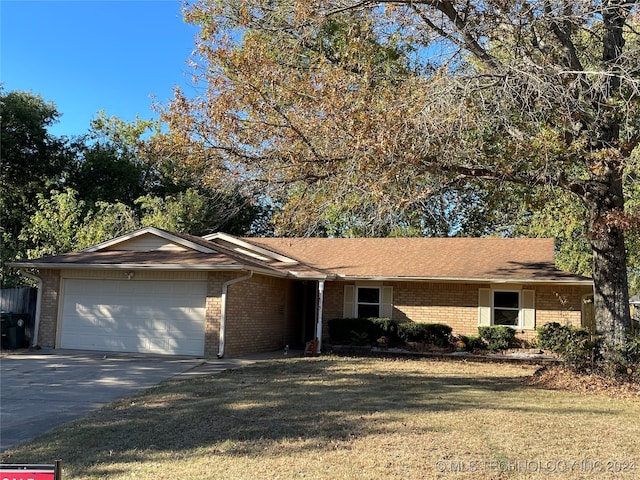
305,402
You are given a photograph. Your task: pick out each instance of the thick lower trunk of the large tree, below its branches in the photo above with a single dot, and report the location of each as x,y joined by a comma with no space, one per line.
611,294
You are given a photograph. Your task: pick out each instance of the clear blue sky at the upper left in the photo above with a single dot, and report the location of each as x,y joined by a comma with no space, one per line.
91,55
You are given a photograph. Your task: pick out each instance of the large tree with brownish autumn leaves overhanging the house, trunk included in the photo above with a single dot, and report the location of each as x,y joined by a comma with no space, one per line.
542,94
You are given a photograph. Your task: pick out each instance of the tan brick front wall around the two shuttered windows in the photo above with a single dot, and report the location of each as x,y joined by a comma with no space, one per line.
456,304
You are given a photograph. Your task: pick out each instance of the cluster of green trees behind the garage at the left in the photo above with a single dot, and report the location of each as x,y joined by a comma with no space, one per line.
59,195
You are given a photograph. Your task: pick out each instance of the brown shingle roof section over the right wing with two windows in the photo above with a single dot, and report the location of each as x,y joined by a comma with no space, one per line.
443,258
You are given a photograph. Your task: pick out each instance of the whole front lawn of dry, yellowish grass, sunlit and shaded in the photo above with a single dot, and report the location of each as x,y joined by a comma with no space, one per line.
349,418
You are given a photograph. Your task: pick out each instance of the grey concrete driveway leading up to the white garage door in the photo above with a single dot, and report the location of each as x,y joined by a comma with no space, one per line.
43,389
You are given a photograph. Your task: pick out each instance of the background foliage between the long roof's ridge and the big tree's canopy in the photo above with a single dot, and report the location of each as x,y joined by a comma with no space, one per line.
470,210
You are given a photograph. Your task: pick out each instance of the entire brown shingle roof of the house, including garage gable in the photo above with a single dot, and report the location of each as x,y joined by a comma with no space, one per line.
475,259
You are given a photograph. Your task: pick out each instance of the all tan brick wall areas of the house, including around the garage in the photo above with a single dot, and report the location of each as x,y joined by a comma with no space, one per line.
263,313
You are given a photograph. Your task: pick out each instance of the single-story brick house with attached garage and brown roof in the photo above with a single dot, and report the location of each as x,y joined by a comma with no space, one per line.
163,292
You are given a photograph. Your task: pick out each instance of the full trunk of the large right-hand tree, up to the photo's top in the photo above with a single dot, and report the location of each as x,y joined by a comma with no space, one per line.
605,196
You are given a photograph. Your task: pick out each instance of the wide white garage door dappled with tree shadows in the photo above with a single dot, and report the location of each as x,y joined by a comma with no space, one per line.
134,316
